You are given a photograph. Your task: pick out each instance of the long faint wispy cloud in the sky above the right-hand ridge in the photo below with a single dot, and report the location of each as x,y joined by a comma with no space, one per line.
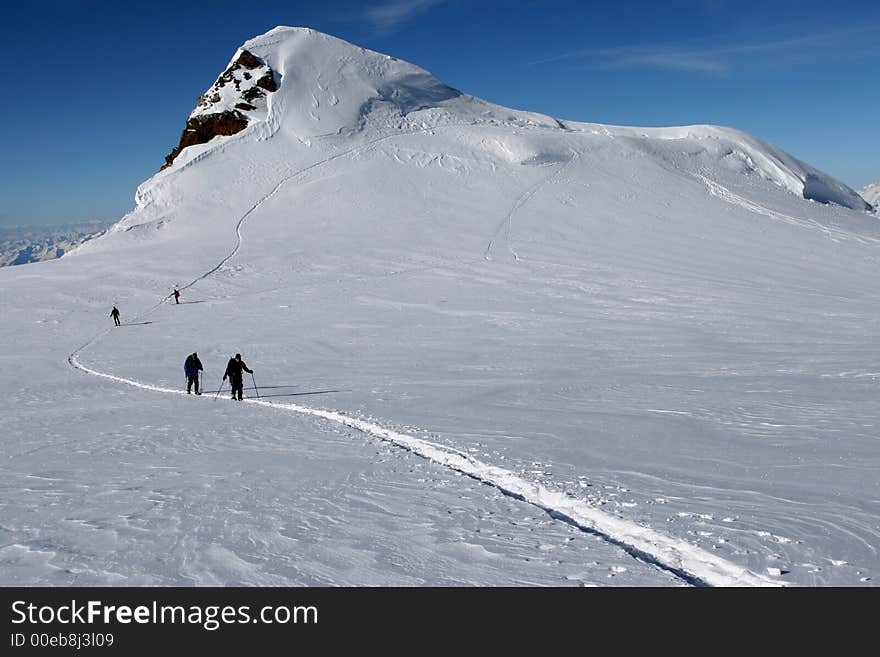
715,61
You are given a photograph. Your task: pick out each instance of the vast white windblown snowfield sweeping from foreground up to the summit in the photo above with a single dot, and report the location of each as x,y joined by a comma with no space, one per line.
492,348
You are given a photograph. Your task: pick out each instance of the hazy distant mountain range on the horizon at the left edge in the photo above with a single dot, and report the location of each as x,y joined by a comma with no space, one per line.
21,245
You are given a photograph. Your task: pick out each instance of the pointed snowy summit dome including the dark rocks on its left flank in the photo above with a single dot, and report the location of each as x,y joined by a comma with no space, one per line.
325,86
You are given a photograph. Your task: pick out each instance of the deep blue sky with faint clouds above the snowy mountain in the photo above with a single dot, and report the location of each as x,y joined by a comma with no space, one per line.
97,92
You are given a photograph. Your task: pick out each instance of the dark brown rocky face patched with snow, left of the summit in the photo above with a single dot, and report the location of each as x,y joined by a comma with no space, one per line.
237,97
